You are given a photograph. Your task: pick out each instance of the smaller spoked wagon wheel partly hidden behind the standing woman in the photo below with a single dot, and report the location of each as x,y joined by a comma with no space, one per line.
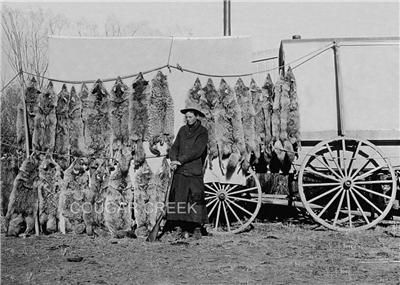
232,207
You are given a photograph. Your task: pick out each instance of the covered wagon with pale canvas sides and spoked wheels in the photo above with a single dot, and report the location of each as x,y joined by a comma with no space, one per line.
349,98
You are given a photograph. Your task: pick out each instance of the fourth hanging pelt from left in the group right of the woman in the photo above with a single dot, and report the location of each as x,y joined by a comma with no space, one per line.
244,99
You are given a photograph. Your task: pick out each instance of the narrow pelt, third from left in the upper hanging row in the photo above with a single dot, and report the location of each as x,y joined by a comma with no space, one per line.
62,145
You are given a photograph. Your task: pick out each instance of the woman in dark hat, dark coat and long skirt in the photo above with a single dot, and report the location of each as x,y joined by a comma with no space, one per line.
187,207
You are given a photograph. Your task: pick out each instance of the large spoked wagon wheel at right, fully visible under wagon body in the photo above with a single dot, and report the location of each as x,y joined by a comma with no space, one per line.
346,184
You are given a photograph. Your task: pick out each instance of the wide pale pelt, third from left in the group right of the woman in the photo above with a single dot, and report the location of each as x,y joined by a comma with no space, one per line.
229,128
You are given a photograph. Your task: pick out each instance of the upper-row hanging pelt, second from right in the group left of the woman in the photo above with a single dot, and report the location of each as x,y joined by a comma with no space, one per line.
139,117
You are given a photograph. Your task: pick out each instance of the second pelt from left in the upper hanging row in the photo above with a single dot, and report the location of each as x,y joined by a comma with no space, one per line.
45,121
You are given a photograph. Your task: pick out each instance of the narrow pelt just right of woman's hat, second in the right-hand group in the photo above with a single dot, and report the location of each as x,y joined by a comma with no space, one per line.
208,104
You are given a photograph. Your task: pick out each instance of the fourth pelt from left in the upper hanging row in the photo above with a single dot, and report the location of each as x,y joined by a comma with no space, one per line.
75,123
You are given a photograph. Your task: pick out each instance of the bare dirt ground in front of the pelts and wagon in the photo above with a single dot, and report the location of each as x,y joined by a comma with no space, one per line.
270,253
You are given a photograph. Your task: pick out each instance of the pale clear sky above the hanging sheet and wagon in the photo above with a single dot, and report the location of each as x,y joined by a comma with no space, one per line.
267,22
